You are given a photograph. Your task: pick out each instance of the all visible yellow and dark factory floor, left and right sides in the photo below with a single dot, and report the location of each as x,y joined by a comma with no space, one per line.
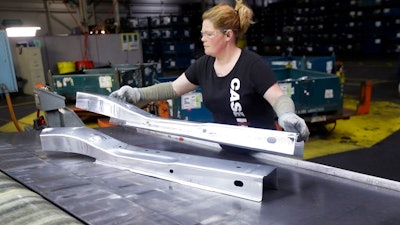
364,143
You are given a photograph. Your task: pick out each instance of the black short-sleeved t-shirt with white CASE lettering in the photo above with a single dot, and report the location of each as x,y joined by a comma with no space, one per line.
237,98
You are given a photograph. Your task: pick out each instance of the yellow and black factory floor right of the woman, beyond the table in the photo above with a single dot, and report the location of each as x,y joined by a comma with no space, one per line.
371,141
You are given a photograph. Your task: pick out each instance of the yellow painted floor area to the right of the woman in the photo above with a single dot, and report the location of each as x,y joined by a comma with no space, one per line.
361,131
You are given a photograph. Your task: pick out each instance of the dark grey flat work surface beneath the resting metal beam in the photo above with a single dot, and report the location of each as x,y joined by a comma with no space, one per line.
98,194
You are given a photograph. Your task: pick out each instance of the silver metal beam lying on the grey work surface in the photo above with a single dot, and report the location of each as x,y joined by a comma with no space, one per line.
240,179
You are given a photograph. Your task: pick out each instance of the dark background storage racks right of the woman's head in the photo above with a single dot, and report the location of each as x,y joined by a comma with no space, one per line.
323,27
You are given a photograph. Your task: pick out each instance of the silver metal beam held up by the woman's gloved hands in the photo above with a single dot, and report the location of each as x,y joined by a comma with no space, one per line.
278,142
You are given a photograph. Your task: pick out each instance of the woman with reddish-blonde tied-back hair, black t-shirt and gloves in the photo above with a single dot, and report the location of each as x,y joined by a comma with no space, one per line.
237,85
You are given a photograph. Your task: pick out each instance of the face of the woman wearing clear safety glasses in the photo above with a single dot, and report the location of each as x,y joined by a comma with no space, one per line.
212,38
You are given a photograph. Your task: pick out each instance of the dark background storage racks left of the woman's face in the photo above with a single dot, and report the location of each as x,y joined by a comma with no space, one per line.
171,40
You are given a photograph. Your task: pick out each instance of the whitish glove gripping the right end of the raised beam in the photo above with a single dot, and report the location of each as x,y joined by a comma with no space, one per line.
293,123
